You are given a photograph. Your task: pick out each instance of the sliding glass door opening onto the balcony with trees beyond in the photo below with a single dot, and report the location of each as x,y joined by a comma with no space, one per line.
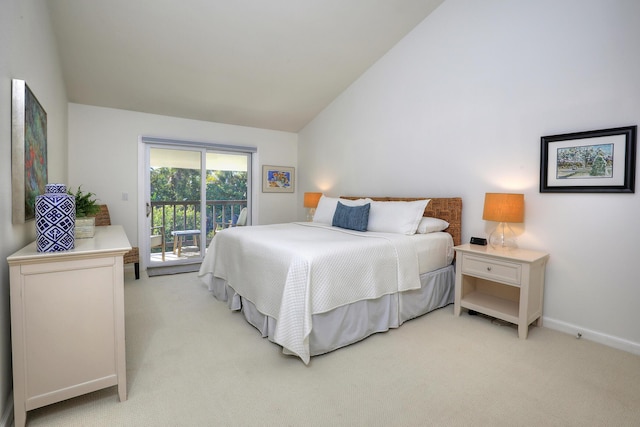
191,191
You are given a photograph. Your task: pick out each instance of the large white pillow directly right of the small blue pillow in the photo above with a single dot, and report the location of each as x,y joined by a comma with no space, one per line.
396,217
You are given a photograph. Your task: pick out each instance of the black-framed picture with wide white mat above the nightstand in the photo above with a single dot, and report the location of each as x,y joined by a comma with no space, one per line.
598,161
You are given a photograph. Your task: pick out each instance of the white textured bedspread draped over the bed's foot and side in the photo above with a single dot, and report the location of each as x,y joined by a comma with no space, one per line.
291,271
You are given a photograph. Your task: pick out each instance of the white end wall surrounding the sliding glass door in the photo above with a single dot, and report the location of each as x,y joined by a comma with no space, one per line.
103,158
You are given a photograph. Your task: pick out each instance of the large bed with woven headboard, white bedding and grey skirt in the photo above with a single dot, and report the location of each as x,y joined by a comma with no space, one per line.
312,287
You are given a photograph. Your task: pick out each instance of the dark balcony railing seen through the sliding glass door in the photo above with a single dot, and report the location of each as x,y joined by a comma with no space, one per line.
185,215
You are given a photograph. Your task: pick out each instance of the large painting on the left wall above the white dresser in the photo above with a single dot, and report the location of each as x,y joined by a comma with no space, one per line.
29,171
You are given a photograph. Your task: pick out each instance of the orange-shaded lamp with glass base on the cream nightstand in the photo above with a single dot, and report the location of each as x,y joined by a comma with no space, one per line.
503,208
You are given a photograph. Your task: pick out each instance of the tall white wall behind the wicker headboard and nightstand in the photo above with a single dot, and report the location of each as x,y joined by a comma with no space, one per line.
458,107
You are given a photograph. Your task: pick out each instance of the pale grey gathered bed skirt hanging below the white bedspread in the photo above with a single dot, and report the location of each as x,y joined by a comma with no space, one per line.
351,323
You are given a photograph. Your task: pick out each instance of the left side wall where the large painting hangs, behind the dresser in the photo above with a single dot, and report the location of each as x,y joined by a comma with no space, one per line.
27,52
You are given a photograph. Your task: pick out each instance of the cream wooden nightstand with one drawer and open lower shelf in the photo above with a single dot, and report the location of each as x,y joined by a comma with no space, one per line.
505,284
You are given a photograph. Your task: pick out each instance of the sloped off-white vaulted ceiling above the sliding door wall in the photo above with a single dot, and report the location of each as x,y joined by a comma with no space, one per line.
272,64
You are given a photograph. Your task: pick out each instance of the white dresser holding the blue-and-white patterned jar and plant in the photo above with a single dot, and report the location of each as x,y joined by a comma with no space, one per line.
67,320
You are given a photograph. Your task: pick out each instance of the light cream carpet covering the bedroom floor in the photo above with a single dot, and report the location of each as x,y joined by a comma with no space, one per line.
192,362
